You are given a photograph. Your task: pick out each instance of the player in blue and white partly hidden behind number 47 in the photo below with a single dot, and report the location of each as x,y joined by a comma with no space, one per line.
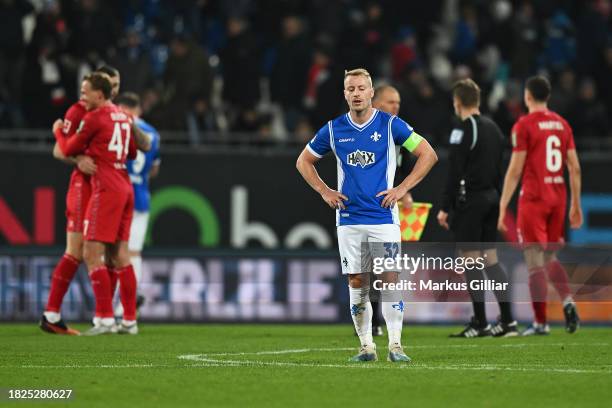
145,166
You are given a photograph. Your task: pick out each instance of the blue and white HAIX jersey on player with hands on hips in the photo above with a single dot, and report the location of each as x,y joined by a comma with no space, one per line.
366,163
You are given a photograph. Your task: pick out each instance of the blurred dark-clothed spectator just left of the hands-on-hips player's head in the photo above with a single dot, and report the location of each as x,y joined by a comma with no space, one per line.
290,72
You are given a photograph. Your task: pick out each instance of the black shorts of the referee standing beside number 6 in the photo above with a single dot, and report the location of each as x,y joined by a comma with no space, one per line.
474,223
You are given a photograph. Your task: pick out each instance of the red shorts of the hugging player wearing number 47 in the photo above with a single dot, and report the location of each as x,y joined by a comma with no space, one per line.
109,216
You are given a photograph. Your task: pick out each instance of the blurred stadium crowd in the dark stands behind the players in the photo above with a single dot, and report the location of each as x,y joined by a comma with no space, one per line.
272,69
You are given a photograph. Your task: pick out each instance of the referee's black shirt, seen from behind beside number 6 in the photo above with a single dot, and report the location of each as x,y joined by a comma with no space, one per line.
476,149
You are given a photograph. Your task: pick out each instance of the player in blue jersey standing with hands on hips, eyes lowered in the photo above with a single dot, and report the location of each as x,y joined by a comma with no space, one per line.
363,142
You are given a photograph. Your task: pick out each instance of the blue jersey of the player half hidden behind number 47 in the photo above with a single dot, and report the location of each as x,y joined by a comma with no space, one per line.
140,167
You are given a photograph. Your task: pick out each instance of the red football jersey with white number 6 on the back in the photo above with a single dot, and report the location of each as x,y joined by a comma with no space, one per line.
546,137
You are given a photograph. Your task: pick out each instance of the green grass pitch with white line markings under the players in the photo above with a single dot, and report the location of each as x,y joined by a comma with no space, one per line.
306,366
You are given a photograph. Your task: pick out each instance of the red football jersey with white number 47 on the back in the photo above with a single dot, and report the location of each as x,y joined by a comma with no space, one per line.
104,134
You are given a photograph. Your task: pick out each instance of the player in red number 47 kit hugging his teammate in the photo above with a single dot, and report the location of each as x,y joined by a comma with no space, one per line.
105,135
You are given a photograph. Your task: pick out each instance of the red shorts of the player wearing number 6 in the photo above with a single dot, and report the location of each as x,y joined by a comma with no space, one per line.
541,223
